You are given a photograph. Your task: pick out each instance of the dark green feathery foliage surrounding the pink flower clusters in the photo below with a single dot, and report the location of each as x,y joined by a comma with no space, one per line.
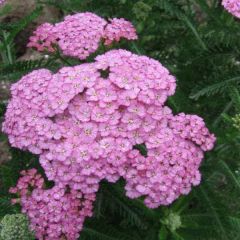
199,42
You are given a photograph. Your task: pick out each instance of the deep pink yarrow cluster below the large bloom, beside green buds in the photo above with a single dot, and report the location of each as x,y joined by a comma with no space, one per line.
53,213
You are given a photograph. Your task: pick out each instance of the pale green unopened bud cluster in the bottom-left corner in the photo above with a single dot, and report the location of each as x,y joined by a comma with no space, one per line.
15,227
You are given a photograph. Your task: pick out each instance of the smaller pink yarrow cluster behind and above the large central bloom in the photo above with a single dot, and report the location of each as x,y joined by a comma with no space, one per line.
80,34
